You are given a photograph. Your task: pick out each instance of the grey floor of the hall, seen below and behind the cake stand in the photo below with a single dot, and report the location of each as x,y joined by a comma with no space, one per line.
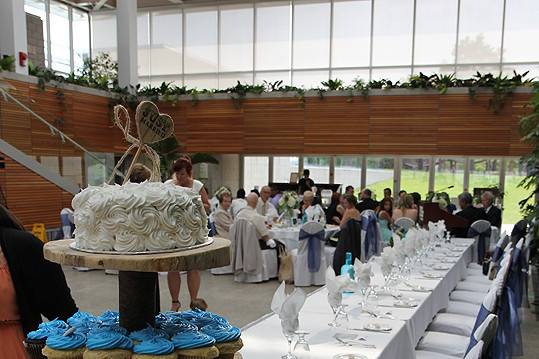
240,303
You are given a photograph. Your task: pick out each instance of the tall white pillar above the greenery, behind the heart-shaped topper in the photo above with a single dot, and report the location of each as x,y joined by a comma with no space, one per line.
126,14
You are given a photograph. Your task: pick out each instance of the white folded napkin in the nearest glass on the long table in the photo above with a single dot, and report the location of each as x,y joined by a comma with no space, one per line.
287,307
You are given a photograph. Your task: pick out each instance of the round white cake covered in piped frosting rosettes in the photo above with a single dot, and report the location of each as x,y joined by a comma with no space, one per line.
150,216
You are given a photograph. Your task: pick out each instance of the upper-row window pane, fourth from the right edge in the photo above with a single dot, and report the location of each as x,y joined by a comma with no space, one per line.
392,32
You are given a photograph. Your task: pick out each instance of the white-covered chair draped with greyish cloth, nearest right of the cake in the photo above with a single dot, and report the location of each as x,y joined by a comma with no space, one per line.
250,263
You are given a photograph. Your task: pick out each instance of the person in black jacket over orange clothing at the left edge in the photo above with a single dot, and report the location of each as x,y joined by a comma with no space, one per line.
30,286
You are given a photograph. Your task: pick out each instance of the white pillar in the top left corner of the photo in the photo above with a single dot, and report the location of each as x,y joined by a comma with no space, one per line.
13,31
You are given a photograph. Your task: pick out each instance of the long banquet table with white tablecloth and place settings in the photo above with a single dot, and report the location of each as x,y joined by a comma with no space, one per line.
264,339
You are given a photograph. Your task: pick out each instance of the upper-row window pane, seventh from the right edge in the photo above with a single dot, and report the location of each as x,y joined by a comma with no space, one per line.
272,36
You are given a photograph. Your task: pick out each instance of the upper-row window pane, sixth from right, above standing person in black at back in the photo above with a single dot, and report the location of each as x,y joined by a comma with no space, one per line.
311,34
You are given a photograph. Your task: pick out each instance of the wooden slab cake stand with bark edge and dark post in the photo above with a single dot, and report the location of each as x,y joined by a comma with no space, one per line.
137,280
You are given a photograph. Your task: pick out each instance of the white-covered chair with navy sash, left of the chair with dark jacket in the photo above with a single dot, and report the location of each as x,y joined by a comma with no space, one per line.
309,259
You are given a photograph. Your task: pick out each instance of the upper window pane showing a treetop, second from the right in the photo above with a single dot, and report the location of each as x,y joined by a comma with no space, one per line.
480,31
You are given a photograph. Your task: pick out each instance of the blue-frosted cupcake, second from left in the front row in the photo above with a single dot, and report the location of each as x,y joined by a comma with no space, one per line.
107,344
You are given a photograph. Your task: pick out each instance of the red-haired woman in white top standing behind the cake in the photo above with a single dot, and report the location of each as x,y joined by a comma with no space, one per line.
183,169
